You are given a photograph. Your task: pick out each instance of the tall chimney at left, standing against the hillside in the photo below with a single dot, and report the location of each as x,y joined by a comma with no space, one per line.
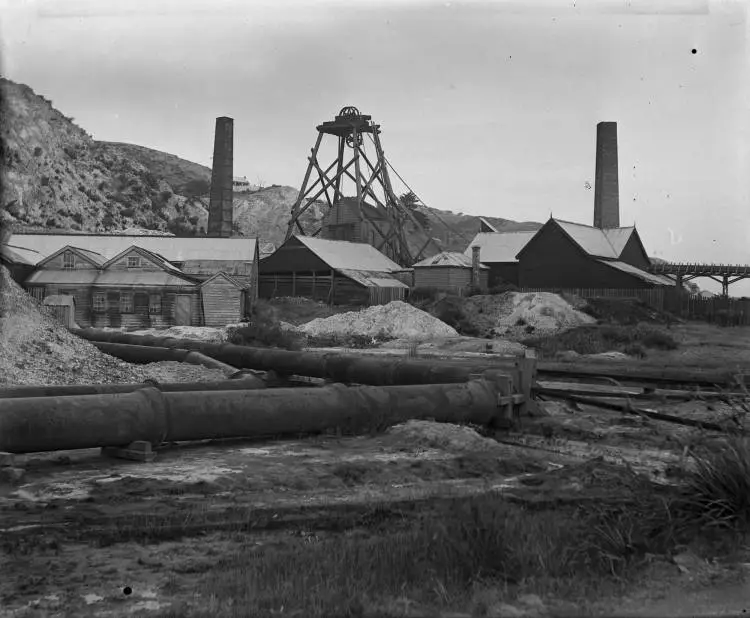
220,205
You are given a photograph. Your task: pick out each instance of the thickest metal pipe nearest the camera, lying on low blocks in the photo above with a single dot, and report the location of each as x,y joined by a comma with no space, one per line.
61,423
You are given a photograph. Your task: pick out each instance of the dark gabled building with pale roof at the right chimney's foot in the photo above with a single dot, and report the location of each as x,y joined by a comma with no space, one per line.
571,255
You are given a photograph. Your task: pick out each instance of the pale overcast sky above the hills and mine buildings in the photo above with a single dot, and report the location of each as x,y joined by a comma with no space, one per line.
486,108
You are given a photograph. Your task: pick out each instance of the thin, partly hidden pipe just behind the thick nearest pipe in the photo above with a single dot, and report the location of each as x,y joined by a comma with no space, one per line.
240,384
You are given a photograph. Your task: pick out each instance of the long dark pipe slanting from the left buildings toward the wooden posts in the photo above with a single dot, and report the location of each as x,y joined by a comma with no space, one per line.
339,367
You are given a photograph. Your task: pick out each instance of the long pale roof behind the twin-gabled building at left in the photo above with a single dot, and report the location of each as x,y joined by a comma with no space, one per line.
171,248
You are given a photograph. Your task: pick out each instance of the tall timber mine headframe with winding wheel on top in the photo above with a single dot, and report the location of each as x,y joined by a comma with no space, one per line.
369,173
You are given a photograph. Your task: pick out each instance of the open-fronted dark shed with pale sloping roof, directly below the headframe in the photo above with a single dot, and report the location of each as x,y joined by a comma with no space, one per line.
336,271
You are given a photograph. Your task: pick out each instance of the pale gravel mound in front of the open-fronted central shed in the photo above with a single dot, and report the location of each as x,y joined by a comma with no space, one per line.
397,319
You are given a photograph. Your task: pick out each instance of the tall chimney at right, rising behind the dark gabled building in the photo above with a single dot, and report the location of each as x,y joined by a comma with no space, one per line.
606,184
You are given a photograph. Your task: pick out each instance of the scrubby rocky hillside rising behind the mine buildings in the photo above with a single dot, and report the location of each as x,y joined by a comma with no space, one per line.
56,176
